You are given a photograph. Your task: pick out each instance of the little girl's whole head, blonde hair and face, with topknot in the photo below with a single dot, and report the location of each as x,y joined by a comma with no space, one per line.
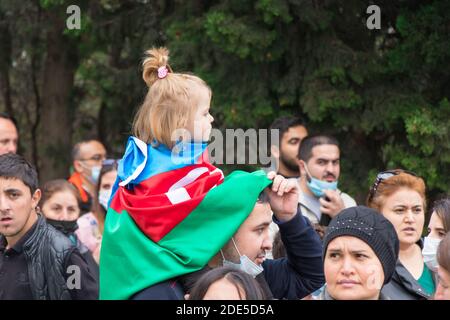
174,101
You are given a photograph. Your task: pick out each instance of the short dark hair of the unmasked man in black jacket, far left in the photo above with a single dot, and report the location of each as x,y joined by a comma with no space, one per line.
14,166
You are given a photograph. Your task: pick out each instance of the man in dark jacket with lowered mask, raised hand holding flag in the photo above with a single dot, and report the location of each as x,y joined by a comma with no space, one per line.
293,277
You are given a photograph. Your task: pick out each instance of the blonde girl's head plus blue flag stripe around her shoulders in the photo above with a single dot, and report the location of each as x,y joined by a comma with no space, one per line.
172,126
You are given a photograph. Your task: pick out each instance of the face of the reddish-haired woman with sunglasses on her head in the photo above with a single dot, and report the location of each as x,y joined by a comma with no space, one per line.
405,210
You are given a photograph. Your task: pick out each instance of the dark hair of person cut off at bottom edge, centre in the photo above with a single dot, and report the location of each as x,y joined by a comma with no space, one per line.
242,281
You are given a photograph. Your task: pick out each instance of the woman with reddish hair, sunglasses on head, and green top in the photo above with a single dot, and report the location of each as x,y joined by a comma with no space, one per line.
400,196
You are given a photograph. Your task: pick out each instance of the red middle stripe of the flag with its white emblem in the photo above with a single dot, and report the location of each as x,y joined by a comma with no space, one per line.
157,208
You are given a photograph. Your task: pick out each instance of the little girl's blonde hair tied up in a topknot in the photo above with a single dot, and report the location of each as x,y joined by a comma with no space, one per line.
169,104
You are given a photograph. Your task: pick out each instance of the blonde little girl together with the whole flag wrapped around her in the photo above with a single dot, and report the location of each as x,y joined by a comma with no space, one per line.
168,199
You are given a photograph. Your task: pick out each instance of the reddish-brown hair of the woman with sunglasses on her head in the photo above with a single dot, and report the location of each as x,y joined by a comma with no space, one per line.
391,185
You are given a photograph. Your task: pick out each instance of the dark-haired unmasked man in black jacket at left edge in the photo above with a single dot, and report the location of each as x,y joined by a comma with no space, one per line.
36,261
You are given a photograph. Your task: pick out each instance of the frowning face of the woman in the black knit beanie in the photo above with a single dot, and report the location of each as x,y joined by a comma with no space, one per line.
352,270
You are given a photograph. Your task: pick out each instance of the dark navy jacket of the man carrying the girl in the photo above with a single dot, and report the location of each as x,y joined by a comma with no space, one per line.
293,277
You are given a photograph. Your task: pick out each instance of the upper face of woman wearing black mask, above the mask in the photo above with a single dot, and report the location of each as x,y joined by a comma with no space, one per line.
62,206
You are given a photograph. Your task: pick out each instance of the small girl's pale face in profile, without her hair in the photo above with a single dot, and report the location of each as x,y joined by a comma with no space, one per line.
200,128
